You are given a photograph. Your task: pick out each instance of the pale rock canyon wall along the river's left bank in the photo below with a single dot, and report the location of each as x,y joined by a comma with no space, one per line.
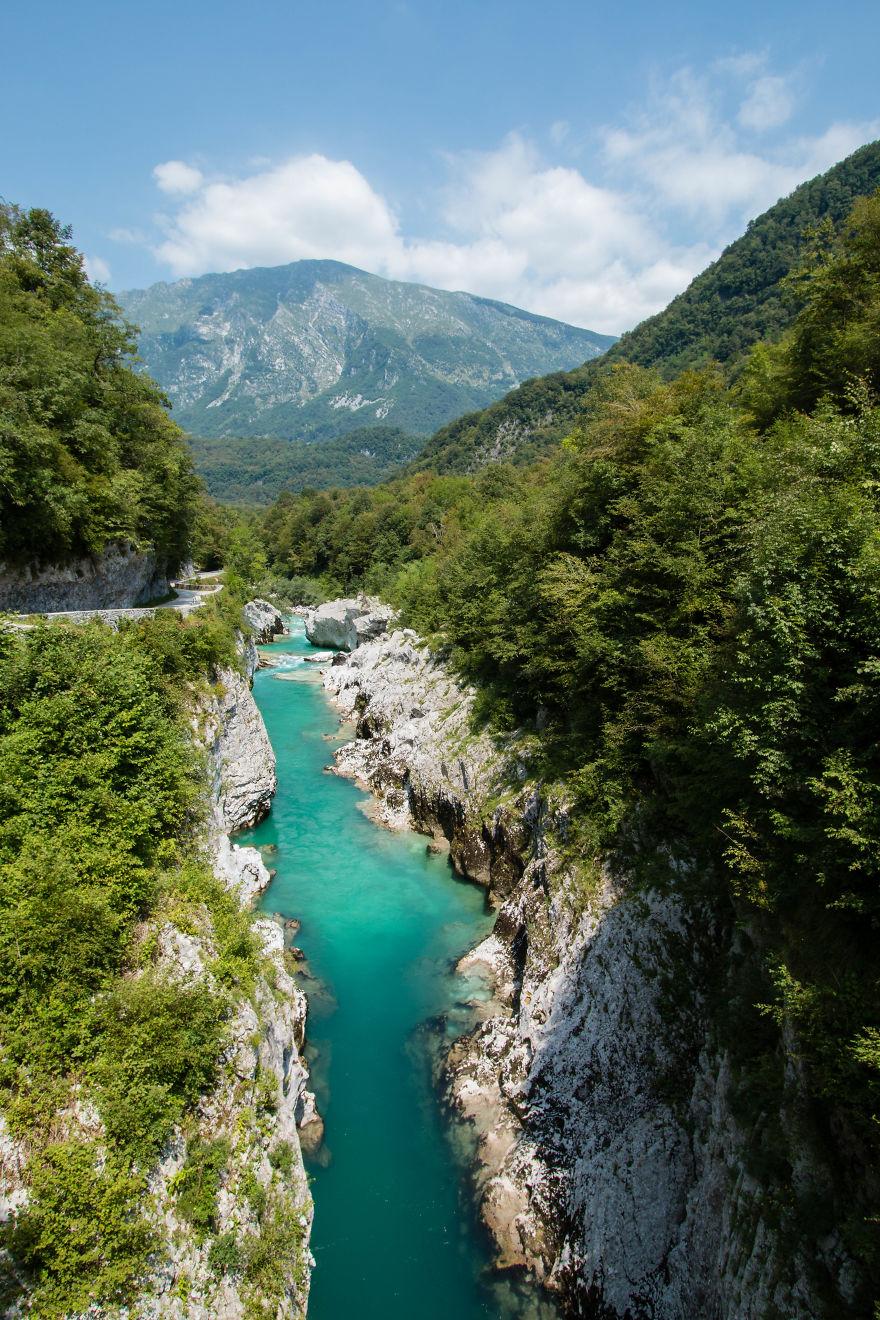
261,1104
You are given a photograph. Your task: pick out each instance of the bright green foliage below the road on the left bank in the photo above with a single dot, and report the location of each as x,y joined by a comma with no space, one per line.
101,797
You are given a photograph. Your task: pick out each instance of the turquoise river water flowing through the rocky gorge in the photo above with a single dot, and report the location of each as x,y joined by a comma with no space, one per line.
383,925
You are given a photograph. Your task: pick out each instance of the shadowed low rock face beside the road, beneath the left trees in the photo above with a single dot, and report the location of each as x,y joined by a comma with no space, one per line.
119,577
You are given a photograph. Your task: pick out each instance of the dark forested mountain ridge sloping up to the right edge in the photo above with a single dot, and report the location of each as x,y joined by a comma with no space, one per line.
734,304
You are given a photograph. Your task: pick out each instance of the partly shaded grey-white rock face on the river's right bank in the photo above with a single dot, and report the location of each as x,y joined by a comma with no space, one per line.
609,1153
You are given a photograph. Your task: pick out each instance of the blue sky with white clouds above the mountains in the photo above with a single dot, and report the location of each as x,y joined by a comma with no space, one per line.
582,162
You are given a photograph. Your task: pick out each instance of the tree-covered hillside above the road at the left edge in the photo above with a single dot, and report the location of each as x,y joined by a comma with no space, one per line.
88,451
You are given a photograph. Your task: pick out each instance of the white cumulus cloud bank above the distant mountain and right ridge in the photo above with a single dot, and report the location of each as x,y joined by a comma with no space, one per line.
601,247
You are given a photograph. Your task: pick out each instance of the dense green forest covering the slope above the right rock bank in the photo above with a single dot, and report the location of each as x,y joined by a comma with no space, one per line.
685,600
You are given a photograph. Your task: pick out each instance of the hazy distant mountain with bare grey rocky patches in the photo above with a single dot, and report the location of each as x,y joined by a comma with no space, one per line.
315,350
